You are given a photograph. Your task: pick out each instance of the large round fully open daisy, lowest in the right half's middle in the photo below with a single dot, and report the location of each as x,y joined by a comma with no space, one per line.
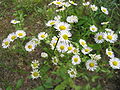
91,65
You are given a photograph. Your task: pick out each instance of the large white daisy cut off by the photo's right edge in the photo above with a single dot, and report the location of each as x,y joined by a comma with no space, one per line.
115,63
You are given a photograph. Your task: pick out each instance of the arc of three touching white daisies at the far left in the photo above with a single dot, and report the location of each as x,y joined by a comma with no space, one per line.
12,36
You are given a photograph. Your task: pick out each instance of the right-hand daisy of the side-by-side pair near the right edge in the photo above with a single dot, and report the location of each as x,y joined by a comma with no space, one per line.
110,37
